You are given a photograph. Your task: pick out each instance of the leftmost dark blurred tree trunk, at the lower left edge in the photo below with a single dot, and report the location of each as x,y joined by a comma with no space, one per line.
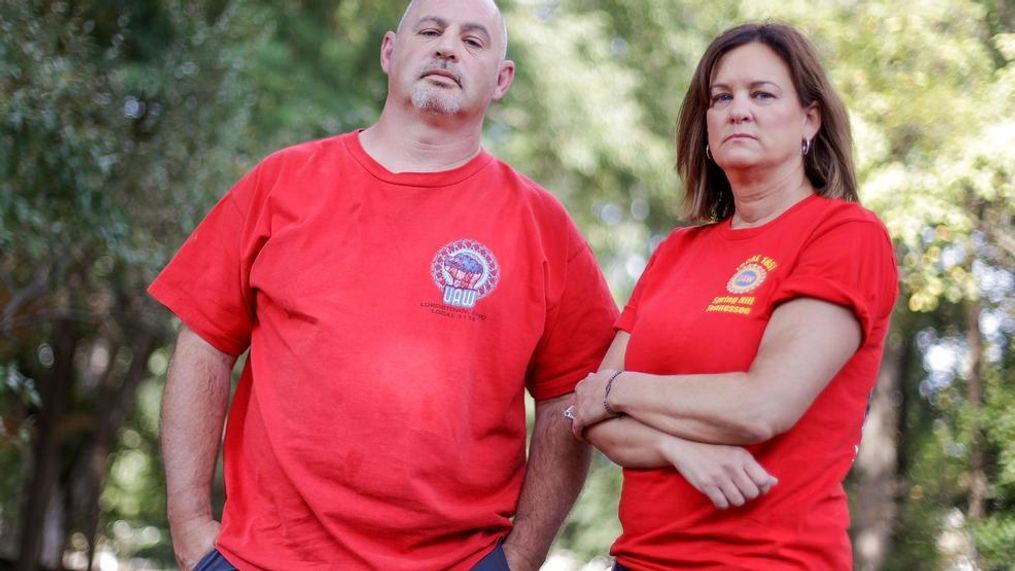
46,452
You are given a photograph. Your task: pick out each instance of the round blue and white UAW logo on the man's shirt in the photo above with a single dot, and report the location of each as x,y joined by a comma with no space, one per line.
465,271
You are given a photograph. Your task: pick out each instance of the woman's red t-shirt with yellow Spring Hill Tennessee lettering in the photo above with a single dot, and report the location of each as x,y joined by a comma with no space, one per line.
702,307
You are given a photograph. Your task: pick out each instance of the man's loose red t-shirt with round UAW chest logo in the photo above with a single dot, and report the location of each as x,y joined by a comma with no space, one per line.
394,322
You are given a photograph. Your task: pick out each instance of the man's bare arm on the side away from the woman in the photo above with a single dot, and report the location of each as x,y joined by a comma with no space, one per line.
197,392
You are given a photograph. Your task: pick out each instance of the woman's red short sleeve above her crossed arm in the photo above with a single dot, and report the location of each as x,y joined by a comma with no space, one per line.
852,265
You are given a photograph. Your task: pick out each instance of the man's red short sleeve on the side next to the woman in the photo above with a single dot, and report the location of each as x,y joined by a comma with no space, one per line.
579,328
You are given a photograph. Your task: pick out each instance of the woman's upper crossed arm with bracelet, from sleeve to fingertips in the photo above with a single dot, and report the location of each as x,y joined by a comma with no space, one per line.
805,344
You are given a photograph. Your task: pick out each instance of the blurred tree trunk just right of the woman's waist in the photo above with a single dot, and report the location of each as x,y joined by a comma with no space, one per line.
877,463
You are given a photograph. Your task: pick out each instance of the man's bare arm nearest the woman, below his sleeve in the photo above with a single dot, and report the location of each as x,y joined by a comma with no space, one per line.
557,470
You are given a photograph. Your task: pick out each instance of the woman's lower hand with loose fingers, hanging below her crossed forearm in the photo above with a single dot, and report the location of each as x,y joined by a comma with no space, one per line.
727,475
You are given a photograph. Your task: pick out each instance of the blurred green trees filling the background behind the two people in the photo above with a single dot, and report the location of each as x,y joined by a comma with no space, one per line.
122,122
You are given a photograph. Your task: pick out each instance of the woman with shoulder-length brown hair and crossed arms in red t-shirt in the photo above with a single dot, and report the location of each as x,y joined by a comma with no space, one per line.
762,328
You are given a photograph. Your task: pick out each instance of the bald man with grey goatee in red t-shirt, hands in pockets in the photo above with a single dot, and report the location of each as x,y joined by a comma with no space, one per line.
398,290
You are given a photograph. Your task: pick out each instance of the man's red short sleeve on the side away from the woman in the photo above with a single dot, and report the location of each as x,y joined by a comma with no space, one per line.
207,284
